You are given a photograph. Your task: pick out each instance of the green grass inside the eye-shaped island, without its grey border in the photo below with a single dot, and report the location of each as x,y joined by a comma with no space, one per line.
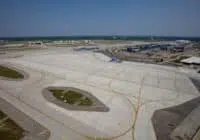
71,97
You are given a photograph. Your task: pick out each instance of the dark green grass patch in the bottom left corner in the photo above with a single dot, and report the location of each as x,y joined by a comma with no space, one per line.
9,130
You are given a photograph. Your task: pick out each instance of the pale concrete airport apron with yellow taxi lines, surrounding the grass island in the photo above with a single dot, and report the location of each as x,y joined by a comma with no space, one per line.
132,91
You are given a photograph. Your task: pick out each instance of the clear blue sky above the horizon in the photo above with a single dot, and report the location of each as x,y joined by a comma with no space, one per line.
99,17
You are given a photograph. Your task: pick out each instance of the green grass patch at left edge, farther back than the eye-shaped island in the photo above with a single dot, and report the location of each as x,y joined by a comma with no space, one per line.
9,73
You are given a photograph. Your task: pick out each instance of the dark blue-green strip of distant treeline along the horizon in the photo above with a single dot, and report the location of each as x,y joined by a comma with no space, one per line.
99,38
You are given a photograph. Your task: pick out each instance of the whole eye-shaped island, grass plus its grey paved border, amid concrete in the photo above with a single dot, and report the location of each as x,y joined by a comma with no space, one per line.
74,99
